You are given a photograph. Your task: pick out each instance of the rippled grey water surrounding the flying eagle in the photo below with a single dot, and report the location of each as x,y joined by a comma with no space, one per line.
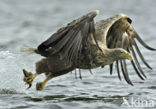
29,22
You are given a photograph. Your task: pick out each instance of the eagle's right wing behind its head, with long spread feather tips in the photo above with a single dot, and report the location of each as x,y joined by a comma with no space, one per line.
121,34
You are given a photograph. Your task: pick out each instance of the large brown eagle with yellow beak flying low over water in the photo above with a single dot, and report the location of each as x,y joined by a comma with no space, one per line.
84,44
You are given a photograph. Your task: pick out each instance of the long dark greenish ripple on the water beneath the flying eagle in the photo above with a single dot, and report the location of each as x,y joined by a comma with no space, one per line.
63,98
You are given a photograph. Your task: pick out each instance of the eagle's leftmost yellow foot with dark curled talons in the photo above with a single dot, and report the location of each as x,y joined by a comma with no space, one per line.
29,77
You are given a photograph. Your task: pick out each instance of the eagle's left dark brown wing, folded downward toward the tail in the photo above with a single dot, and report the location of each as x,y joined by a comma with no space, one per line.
69,41
